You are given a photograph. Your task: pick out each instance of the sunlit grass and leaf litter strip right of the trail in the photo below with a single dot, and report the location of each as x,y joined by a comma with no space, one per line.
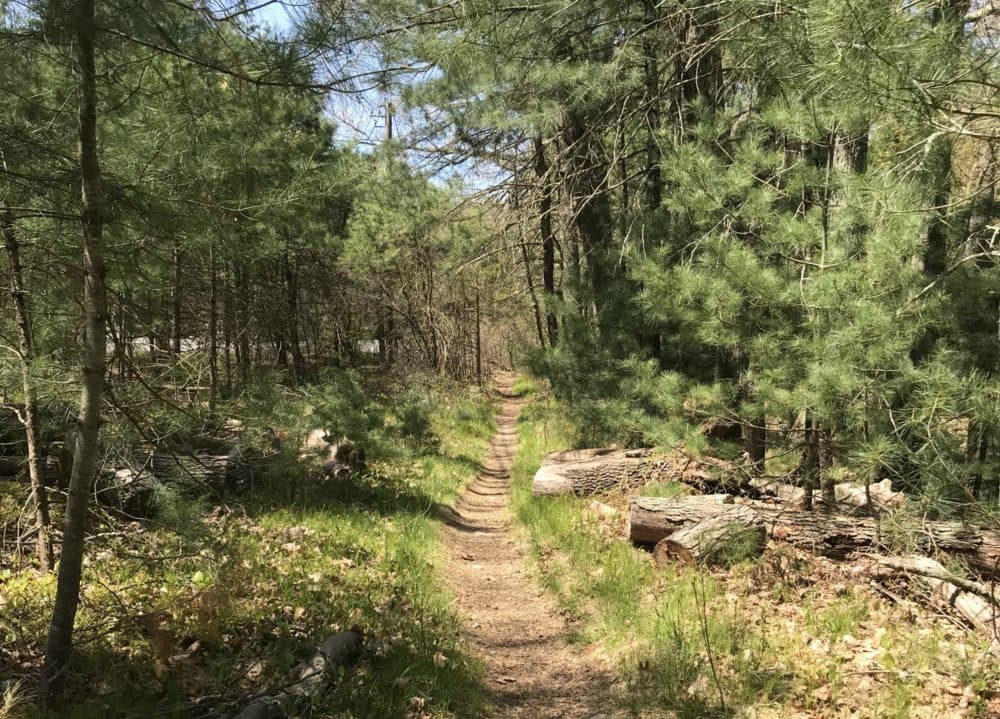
763,637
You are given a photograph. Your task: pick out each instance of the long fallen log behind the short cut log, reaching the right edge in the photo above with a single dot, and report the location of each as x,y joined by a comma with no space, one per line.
653,519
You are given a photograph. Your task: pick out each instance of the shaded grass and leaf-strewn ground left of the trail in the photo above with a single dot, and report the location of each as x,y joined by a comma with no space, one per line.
204,606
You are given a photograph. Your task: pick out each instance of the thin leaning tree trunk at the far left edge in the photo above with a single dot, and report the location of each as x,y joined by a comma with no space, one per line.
26,350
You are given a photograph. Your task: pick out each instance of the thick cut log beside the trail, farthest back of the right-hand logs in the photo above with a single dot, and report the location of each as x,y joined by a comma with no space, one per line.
592,471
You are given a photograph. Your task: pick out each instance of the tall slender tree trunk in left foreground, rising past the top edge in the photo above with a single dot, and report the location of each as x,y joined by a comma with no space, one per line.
60,639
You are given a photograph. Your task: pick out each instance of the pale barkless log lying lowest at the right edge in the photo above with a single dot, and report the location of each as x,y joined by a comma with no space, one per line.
966,598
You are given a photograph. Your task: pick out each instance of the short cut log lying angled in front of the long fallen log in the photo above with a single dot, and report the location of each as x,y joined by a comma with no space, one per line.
708,540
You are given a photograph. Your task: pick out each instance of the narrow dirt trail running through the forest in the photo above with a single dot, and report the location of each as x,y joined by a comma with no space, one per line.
511,624
